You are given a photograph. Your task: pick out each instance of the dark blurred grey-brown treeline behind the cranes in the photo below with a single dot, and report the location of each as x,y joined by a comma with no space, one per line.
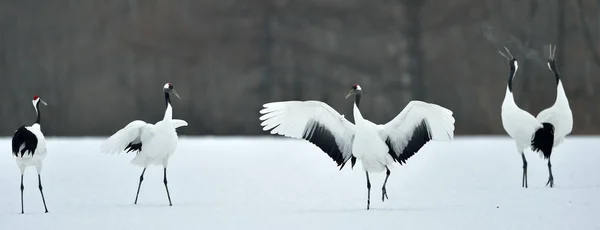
102,63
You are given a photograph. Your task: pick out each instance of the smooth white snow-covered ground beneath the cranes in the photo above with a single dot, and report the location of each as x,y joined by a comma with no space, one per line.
276,183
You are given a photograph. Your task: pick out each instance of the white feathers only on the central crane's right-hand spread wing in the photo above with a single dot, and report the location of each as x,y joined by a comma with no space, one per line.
399,130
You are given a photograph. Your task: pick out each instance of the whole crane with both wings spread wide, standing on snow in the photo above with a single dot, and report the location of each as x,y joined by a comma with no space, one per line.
376,146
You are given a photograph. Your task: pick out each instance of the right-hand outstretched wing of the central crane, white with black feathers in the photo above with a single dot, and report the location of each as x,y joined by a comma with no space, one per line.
418,123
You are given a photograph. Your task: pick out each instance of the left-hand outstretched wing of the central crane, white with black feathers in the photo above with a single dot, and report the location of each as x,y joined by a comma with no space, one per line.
303,119
